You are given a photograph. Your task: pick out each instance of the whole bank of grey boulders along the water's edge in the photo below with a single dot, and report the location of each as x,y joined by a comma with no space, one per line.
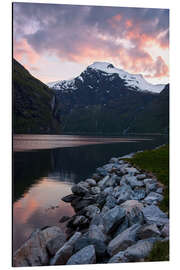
117,220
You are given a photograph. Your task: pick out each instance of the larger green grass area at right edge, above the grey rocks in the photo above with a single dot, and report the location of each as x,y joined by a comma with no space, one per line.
157,162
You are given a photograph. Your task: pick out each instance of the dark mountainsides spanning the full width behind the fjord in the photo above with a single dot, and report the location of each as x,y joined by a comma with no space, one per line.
95,101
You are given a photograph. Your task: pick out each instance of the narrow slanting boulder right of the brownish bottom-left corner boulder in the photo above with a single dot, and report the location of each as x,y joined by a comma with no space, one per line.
66,251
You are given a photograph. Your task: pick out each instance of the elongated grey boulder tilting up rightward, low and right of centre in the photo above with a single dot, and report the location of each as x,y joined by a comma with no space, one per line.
123,240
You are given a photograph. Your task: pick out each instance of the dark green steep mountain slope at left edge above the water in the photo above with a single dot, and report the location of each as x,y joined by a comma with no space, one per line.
32,104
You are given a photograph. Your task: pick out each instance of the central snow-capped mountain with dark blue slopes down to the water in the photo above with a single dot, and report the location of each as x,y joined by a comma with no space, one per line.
105,99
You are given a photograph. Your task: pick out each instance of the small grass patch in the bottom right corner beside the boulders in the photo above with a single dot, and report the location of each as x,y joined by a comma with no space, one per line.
160,252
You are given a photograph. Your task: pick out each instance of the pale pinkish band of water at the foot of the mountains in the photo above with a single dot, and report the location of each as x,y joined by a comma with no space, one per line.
27,142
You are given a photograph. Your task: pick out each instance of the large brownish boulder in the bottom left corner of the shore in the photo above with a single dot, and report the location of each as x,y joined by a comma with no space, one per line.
33,252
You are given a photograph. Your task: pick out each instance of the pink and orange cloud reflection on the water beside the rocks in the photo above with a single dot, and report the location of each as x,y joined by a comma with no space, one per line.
40,206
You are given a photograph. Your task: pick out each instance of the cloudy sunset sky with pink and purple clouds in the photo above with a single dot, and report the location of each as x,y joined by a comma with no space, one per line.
57,42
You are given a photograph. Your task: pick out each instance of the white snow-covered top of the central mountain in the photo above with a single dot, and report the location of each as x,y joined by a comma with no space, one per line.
107,71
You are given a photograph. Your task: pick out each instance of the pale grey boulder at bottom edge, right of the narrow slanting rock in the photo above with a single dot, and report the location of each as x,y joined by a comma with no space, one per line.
86,255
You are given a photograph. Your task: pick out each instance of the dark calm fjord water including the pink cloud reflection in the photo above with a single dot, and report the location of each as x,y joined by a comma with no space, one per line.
41,177
